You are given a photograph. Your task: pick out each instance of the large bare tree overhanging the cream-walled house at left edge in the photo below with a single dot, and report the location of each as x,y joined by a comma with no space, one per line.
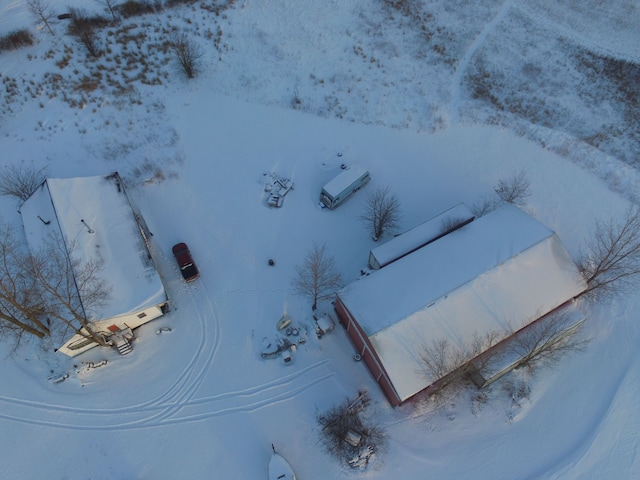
49,293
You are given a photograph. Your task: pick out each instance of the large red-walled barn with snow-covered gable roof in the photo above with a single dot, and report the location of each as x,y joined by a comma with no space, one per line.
496,275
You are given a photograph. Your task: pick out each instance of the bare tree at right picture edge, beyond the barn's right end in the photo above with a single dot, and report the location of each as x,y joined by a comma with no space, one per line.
612,261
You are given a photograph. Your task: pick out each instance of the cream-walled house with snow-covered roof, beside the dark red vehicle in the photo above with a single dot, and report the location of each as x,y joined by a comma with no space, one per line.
95,220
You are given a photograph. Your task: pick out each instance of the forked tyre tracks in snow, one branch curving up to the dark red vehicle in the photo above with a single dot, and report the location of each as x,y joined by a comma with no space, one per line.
178,403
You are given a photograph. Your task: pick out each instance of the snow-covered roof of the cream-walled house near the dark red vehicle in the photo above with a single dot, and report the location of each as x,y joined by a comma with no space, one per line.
93,214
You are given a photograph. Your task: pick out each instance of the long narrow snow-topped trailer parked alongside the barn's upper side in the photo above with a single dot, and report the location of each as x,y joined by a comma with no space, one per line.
420,235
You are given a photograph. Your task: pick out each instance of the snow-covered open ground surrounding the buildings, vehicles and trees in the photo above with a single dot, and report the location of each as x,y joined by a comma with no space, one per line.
438,100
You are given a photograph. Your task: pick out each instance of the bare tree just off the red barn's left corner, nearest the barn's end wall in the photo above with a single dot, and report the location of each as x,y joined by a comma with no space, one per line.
317,277
